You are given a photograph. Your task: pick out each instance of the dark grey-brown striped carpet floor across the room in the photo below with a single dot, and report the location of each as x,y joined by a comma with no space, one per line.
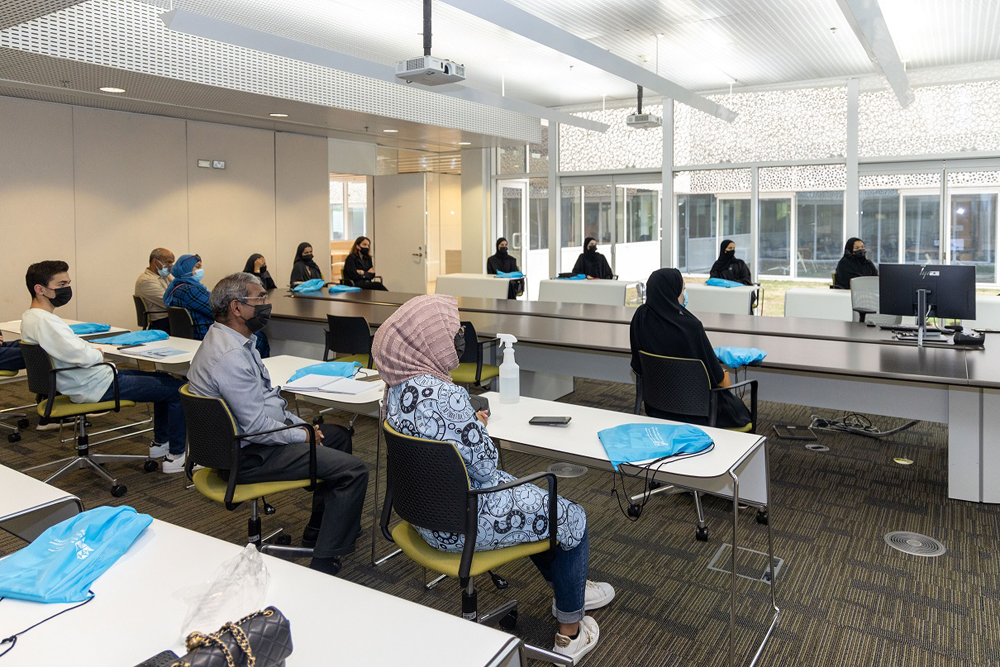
846,597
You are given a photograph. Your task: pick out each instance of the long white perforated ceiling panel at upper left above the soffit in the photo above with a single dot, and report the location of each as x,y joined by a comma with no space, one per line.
128,35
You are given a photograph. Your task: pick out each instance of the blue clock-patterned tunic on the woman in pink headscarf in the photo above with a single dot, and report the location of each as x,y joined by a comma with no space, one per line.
430,408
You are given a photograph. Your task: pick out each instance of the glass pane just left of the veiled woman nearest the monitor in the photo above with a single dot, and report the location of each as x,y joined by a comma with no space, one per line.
820,220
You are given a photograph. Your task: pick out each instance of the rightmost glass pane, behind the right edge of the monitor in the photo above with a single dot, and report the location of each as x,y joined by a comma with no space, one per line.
973,233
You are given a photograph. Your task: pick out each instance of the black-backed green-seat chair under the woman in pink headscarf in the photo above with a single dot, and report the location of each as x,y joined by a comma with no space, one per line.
427,485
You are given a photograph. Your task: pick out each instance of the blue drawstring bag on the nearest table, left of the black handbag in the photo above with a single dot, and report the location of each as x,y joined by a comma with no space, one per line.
63,562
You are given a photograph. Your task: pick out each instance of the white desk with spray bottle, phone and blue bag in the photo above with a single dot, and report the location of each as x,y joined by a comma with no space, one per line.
737,468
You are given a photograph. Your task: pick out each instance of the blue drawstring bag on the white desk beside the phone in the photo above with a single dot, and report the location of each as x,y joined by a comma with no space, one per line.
643,442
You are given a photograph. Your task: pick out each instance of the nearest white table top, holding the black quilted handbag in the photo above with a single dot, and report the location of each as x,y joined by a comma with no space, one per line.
136,614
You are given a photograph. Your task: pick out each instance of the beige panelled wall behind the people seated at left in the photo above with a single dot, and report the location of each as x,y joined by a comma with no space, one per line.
100,189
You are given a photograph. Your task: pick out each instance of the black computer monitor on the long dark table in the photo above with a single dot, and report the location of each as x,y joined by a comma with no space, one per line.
950,291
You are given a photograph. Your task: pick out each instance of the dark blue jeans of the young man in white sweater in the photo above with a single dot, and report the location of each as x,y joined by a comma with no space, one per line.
162,390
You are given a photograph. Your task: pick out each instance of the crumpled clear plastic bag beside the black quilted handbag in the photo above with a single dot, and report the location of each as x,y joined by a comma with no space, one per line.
238,587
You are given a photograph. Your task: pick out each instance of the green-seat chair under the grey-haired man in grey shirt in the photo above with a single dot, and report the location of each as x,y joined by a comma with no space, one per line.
214,441
